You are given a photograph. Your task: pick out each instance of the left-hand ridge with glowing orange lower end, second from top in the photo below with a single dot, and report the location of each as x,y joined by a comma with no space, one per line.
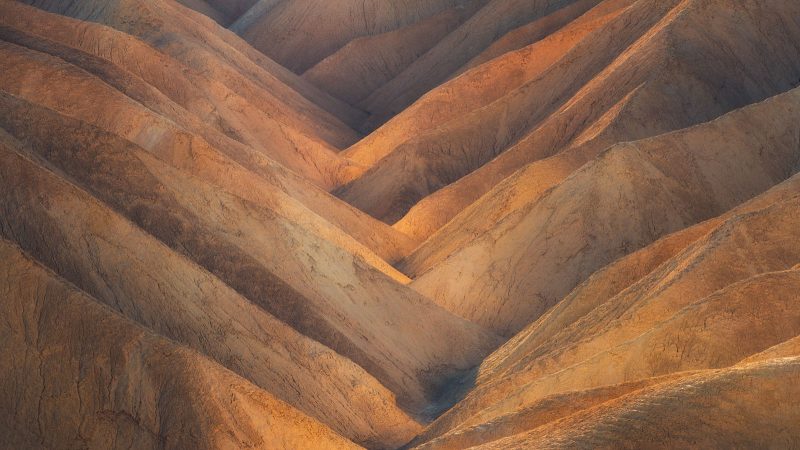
245,115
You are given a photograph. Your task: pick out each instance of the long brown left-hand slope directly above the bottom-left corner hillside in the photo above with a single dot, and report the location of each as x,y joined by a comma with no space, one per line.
116,262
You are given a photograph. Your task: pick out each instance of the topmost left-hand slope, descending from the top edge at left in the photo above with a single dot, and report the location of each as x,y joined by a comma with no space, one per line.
200,43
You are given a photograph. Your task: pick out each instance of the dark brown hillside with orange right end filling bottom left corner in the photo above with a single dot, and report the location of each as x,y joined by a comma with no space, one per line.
142,390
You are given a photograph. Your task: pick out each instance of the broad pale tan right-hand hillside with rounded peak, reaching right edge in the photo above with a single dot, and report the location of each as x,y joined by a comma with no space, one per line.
628,197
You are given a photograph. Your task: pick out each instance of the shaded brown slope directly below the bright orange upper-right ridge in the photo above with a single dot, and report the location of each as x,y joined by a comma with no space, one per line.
423,164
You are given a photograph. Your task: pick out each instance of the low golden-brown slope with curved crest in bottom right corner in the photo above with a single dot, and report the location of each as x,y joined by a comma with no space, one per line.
753,406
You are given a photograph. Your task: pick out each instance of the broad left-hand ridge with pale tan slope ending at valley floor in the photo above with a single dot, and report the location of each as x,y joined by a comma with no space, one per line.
281,266
